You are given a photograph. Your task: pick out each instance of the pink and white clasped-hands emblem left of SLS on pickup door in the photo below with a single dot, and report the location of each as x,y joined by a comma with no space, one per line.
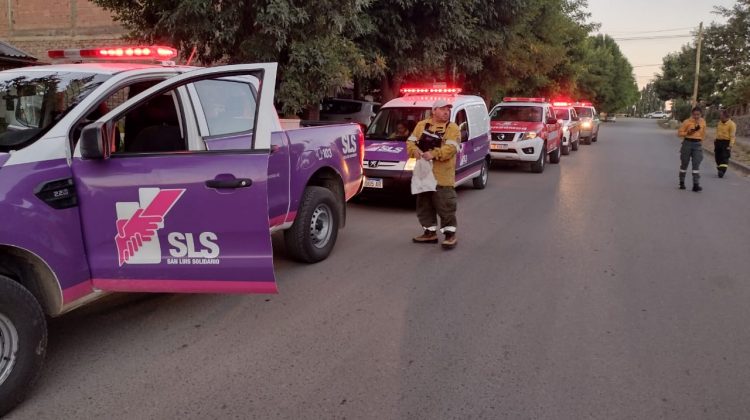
138,223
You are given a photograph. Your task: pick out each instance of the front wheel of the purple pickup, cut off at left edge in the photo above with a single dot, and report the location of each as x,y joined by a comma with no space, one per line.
23,343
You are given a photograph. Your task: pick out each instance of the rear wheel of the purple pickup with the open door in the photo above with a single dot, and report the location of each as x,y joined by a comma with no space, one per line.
313,234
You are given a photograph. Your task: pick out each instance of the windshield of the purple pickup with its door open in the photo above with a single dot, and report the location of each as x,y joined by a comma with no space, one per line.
36,100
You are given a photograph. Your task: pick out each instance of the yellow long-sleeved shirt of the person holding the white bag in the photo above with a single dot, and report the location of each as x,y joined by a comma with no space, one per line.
444,162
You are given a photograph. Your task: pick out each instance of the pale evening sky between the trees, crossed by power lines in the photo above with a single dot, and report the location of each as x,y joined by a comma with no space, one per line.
643,18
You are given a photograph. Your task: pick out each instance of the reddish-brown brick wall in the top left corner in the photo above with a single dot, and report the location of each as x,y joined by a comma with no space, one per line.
36,26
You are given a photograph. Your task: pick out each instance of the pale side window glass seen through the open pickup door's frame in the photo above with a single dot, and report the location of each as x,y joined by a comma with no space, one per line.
229,106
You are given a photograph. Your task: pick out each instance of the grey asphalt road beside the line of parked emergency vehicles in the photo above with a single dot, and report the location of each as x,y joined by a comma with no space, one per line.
594,290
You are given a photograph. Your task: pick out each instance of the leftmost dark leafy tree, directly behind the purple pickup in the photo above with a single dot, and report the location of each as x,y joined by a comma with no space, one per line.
311,40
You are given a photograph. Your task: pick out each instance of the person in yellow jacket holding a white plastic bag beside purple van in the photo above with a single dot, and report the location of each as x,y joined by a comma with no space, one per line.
436,139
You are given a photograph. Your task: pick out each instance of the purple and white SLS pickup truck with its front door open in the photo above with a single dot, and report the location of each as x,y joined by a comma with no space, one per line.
121,177
